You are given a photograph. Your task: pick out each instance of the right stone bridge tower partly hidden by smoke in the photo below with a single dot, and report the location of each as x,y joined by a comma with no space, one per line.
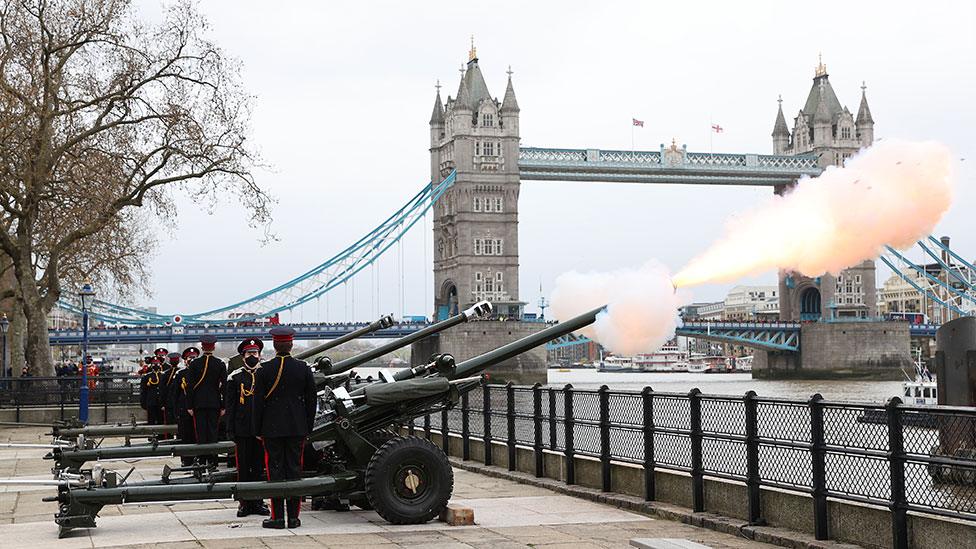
827,129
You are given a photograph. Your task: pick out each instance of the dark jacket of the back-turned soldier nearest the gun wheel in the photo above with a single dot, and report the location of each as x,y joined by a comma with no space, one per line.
284,398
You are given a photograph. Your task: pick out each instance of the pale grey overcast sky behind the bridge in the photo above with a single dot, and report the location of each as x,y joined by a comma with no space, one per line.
344,91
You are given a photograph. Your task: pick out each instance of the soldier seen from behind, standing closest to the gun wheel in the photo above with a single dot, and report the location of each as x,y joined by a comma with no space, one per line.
284,411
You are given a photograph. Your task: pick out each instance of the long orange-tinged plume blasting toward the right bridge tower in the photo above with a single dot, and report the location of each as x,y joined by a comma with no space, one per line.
892,193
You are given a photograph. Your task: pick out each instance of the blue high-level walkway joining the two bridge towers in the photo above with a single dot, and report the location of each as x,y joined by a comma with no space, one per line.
670,165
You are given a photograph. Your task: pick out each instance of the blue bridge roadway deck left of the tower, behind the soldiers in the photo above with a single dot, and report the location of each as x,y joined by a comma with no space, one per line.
190,334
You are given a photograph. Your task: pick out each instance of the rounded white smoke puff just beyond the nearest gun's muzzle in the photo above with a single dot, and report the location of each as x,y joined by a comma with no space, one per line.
642,306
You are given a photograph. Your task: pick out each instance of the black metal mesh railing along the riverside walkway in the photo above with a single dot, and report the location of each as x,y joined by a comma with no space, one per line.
905,458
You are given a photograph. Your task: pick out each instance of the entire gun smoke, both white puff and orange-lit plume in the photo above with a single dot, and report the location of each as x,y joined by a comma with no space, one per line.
893,193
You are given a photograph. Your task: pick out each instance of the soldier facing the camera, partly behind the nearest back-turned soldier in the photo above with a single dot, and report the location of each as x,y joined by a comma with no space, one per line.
238,398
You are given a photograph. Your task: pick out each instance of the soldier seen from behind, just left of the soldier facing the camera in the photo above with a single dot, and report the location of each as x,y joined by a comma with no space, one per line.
205,379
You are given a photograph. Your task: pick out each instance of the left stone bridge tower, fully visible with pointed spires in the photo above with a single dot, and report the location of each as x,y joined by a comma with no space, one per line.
476,220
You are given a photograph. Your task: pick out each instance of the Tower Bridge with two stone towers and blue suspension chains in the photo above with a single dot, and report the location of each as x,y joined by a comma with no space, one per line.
477,165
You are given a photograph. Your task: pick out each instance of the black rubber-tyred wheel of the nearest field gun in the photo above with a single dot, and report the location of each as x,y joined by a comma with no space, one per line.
409,481
